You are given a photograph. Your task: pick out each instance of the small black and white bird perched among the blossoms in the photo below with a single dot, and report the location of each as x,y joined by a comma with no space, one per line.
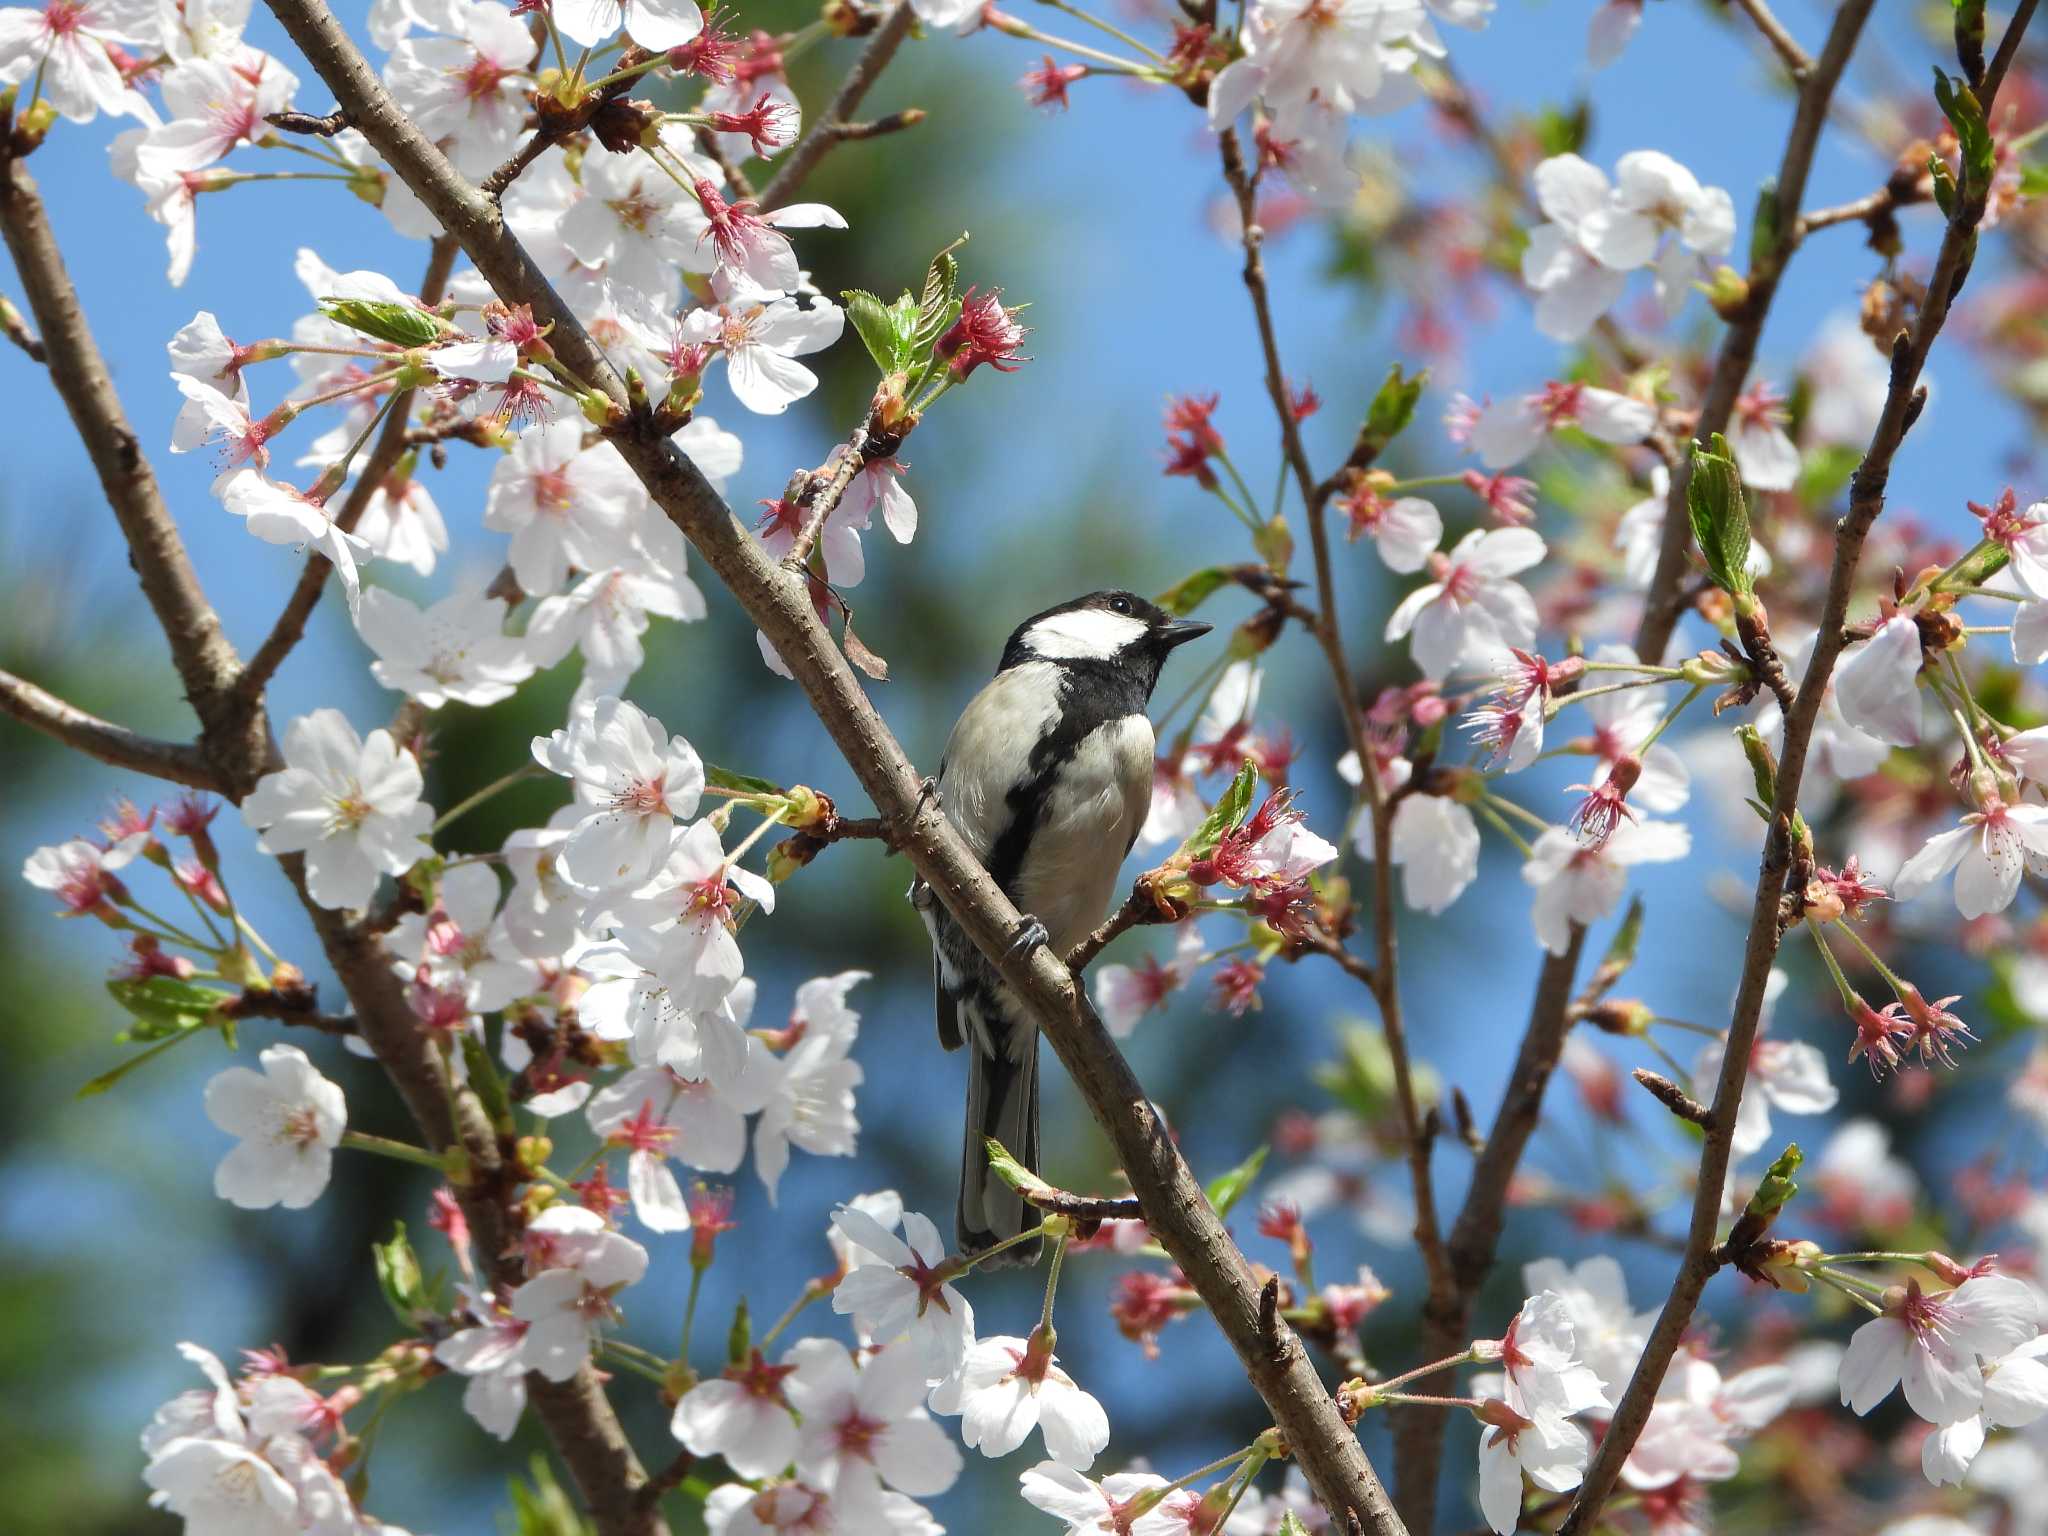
1048,777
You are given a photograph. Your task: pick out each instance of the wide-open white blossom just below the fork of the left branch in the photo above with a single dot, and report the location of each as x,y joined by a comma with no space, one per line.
349,804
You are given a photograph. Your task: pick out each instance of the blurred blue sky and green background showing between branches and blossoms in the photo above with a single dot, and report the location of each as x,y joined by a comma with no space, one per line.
1033,488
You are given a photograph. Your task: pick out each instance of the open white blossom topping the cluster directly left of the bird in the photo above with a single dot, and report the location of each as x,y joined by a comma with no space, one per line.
632,785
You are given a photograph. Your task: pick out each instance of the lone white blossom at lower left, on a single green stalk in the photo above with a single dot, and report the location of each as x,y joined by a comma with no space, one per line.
290,1121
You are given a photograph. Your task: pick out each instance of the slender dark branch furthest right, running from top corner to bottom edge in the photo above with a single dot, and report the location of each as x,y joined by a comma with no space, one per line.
1867,501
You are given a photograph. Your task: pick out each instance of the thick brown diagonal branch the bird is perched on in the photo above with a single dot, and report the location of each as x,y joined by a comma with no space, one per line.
1175,1205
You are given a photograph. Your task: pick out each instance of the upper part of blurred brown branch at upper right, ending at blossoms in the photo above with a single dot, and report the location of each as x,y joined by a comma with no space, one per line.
1740,347
